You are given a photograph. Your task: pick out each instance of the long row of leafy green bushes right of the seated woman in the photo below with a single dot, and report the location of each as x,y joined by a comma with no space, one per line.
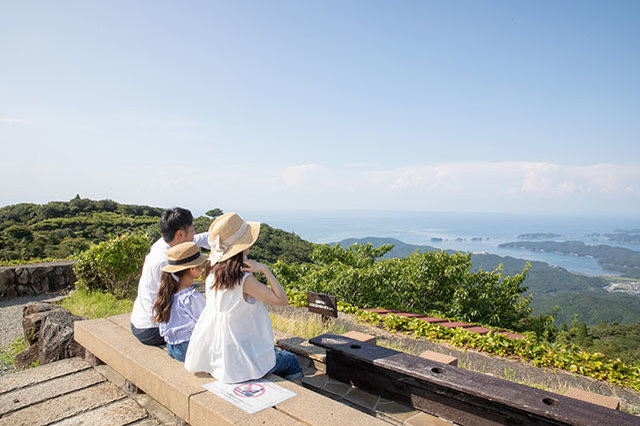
431,282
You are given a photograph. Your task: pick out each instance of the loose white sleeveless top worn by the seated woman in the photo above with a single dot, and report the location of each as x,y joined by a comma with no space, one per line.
233,338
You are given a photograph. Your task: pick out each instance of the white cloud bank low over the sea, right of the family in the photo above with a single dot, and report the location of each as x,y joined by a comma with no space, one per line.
477,186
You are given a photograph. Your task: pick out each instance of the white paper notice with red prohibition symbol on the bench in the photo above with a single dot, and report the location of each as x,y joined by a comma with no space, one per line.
252,395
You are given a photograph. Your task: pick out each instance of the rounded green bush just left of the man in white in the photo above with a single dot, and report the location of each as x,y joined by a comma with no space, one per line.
112,266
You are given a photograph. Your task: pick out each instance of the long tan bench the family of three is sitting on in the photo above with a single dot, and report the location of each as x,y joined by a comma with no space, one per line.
165,380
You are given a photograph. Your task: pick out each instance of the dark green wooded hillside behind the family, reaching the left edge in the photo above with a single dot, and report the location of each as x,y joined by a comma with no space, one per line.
59,229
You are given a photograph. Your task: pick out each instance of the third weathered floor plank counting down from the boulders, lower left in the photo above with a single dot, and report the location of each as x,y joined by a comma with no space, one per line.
64,406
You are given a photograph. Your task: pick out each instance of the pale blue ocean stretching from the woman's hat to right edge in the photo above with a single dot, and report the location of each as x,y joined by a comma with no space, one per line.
469,232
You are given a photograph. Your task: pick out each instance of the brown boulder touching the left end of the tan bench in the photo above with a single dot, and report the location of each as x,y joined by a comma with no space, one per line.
56,337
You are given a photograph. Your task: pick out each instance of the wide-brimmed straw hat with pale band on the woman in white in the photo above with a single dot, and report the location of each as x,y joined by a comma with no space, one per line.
229,234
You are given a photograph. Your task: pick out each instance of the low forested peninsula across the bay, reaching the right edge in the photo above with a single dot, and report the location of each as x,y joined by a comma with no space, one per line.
615,259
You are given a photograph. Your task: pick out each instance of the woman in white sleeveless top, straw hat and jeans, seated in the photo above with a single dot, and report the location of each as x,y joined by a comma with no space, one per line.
233,339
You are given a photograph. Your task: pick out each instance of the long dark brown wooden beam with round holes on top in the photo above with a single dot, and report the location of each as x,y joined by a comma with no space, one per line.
458,395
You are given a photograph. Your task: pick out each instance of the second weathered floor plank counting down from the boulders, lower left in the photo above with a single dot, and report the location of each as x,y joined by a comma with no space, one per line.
20,398
